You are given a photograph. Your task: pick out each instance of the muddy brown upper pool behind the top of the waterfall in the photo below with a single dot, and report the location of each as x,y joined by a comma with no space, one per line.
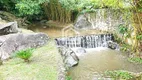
55,32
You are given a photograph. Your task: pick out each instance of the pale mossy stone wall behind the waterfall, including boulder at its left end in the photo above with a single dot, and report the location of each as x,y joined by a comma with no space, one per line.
103,19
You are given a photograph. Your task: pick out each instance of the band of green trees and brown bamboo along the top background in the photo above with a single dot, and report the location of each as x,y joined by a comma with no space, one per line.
59,10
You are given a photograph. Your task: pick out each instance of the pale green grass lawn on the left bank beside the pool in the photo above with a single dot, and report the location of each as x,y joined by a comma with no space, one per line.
42,66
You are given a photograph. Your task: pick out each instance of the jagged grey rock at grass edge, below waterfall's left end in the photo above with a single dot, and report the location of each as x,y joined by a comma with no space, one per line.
69,57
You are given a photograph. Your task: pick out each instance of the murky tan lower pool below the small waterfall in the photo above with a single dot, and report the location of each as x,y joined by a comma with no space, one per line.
100,60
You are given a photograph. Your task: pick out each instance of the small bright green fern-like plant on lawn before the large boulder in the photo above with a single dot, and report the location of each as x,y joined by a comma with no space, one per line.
24,54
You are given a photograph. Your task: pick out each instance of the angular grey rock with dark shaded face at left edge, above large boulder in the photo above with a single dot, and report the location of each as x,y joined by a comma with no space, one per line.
8,28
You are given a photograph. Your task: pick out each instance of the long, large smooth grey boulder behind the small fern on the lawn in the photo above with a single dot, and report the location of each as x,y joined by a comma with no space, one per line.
14,42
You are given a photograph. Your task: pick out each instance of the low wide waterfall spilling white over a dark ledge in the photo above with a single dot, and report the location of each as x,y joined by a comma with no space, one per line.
88,41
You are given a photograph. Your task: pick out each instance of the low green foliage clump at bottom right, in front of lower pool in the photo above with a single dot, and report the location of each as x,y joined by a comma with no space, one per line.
118,75
